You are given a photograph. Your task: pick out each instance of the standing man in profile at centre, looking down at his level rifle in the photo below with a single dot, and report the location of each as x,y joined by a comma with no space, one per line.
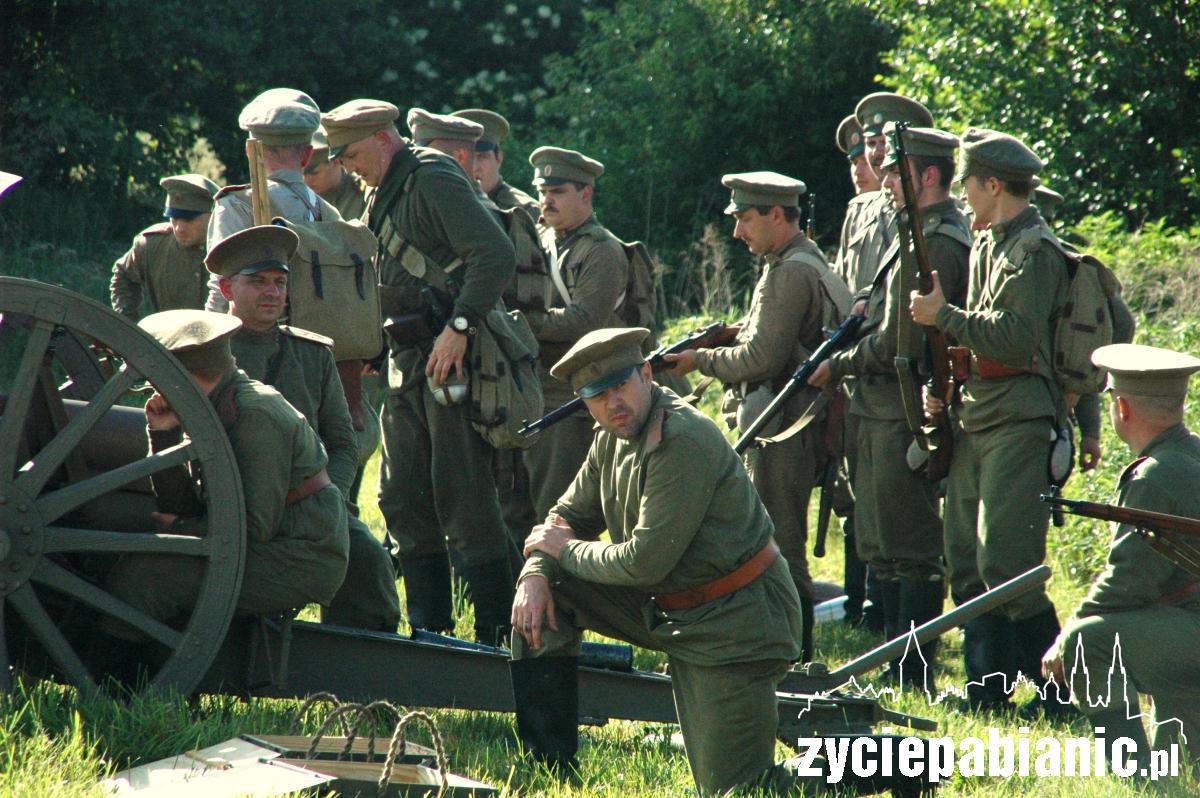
796,297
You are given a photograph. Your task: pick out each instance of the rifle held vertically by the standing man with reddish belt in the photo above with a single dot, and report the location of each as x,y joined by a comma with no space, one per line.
934,435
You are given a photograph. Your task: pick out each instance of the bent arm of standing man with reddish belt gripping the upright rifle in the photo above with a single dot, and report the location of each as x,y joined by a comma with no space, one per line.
1015,328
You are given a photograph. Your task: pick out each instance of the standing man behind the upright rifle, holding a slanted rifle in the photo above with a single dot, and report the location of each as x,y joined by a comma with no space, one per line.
899,531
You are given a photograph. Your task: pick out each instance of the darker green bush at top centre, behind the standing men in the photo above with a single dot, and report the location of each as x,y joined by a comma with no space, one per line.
671,95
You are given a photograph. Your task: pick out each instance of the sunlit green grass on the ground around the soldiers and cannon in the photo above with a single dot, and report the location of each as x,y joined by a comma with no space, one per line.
56,743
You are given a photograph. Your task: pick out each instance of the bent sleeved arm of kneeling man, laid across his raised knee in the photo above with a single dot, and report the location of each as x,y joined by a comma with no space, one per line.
676,495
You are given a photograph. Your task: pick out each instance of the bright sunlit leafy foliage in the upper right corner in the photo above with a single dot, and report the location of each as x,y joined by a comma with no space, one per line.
1096,88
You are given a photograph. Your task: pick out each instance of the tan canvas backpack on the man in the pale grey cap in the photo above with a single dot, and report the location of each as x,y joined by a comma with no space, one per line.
334,286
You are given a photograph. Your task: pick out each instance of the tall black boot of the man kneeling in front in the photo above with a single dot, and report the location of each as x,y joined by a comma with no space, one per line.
547,697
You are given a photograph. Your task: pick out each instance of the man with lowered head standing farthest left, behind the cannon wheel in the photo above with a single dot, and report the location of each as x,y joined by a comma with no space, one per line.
167,260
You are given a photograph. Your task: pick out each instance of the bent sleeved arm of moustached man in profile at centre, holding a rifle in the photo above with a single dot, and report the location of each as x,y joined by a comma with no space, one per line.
790,295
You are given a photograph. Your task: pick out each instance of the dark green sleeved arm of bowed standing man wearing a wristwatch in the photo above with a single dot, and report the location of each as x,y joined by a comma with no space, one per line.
448,203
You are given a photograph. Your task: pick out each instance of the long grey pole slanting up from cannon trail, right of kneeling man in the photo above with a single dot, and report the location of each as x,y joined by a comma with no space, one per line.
817,680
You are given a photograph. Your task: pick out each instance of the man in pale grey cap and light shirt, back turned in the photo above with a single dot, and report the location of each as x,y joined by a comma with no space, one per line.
285,121
